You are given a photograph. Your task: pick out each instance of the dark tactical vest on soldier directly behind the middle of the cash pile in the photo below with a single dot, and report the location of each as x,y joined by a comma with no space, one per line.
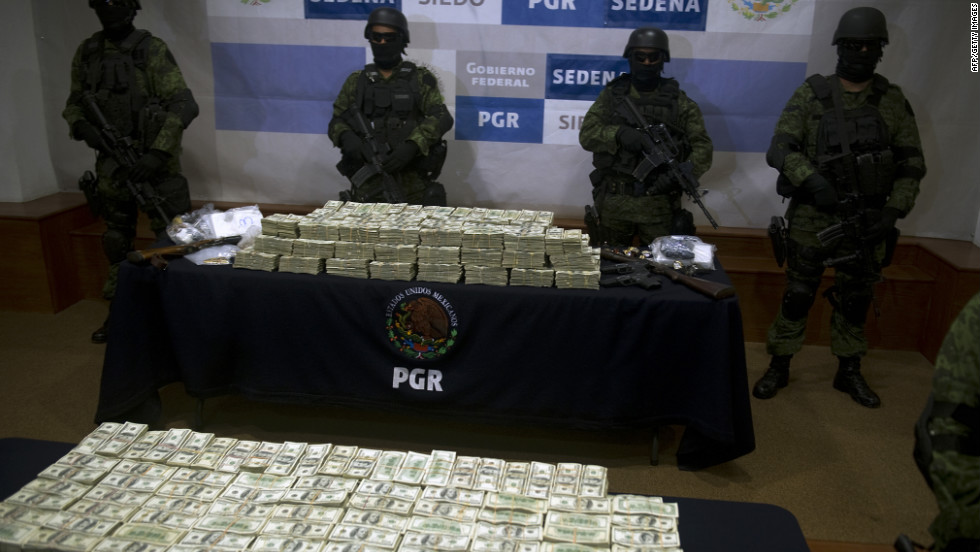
392,106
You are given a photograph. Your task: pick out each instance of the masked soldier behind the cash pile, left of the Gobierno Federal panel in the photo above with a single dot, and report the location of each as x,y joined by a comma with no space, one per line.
405,115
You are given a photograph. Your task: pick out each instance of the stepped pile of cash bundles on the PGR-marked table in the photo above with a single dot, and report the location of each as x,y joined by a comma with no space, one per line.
437,244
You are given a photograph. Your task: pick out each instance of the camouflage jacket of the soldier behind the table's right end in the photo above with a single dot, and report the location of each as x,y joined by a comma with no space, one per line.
601,124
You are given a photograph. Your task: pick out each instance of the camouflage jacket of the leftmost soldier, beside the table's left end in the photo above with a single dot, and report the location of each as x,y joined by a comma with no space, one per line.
157,85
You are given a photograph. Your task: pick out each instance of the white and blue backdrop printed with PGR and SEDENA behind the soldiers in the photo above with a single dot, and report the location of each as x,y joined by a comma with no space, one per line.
518,76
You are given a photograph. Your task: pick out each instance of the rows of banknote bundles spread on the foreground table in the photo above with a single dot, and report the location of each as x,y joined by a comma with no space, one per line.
125,487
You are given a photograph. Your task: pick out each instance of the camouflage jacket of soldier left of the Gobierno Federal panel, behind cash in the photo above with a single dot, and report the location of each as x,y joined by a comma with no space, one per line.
434,120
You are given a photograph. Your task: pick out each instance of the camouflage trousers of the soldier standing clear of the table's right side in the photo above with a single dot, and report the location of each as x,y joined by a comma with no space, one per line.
853,286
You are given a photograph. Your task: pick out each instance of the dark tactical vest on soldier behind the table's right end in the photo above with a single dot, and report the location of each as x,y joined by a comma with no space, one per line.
662,106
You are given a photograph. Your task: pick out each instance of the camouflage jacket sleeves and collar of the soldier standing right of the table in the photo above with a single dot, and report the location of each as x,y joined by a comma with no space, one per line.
796,137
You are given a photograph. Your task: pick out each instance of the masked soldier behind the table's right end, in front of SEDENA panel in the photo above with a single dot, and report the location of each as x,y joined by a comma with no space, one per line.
651,208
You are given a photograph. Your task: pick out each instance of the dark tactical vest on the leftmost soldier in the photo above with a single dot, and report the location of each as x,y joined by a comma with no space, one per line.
112,76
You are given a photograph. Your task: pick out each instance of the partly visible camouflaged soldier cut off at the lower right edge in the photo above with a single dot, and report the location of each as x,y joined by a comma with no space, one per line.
948,435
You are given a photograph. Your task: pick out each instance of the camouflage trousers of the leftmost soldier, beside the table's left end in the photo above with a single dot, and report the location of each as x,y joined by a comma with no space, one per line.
120,210
